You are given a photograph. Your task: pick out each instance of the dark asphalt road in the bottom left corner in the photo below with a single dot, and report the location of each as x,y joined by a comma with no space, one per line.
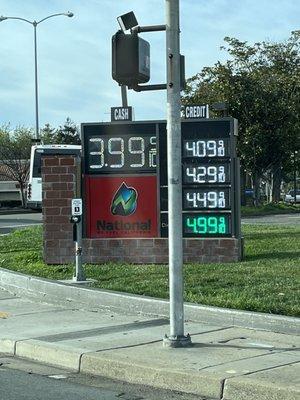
25,380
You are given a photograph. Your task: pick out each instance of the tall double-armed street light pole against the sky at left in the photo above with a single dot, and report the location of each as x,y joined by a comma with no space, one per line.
35,24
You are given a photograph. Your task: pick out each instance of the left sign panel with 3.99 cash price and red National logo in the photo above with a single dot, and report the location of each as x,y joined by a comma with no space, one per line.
120,178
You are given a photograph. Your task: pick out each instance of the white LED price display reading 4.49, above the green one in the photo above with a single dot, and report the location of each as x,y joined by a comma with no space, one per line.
210,198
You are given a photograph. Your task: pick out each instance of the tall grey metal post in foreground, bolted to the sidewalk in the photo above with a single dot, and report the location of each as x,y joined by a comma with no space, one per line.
176,338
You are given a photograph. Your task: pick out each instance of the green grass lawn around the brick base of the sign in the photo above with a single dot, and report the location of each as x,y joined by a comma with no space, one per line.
268,280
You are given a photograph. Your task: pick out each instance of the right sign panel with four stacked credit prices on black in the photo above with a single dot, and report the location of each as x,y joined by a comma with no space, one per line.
210,191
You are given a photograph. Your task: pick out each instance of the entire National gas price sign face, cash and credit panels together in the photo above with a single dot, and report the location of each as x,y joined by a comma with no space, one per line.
126,185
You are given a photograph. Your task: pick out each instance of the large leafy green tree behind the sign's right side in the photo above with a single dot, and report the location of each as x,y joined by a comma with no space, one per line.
261,84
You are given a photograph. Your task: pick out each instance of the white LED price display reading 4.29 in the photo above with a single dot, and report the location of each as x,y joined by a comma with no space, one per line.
206,173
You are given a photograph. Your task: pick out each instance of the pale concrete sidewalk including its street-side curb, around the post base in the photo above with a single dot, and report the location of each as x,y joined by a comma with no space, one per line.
225,362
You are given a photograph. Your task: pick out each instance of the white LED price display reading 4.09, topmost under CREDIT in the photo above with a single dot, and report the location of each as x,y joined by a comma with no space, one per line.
205,148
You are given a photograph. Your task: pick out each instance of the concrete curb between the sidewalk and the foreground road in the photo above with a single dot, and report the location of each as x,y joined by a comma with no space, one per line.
208,385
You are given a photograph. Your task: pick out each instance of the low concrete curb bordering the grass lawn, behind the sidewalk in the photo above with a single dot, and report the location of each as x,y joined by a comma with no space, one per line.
82,297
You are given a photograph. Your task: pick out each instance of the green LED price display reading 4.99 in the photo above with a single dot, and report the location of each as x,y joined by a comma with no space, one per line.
206,225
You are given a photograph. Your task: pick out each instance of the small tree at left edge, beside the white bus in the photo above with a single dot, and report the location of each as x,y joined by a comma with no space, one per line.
15,149
